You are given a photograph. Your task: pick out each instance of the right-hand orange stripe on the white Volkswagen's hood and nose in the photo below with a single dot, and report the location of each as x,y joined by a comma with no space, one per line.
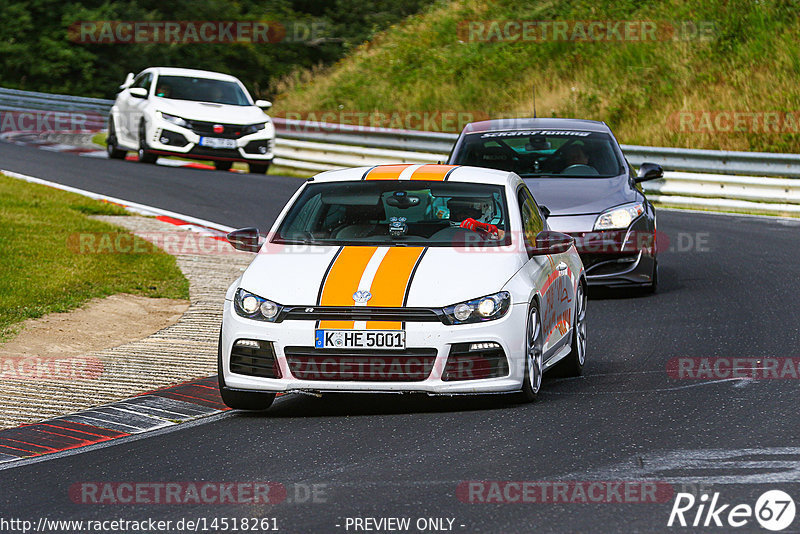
390,283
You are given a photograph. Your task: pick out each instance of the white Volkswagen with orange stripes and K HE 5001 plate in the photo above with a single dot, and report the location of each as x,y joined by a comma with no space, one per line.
427,278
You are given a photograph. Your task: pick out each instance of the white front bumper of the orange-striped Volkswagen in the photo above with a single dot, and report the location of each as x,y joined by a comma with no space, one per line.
507,332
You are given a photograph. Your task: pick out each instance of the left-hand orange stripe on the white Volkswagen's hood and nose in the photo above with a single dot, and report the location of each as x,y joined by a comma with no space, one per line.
342,281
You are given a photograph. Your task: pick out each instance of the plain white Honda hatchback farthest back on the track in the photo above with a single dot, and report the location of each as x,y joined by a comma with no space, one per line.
193,114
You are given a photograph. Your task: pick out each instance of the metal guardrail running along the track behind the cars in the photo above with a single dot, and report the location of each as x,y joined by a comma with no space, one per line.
698,178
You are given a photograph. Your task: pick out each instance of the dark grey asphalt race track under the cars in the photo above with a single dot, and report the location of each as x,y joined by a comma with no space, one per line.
728,289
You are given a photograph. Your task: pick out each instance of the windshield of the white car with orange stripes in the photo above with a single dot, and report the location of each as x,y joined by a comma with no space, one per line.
395,213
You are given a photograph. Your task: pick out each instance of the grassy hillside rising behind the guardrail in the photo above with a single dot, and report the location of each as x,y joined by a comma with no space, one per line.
747,61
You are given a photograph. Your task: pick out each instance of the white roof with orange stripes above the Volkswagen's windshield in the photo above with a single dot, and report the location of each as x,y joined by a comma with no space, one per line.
454,173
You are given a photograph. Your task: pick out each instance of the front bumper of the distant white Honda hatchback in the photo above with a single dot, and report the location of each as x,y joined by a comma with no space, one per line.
166,138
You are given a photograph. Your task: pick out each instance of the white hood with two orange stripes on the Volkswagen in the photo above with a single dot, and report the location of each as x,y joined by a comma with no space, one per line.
422,277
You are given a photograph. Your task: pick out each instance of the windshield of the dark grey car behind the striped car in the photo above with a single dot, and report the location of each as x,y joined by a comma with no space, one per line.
537,153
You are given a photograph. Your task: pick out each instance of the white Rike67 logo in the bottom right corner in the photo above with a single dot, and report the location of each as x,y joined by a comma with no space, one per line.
774,510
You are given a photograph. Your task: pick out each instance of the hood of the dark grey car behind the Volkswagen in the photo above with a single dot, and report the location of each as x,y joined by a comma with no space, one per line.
579,196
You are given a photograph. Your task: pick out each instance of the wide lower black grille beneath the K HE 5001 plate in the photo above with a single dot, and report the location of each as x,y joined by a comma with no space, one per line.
410,365
